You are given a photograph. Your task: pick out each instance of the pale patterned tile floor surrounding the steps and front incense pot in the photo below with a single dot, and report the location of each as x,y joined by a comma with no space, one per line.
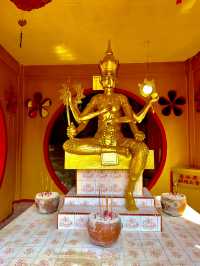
32,239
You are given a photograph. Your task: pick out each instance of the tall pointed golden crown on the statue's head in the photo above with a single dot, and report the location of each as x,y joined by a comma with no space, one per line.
109,65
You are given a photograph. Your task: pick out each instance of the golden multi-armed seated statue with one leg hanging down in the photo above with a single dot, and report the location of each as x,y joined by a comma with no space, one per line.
112,110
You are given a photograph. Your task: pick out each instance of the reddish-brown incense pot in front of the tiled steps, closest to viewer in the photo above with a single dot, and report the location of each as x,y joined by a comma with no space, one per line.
105,229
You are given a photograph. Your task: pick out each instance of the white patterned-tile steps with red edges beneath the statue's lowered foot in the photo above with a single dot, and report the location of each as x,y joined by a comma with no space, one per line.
75,209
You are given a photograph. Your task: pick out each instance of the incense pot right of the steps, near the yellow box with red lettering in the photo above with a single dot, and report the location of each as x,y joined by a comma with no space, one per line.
173,204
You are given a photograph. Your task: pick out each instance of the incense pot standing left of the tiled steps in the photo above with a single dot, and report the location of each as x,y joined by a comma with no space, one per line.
47,202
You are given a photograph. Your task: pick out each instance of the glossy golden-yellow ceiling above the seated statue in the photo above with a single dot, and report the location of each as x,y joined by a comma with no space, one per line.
77,31
